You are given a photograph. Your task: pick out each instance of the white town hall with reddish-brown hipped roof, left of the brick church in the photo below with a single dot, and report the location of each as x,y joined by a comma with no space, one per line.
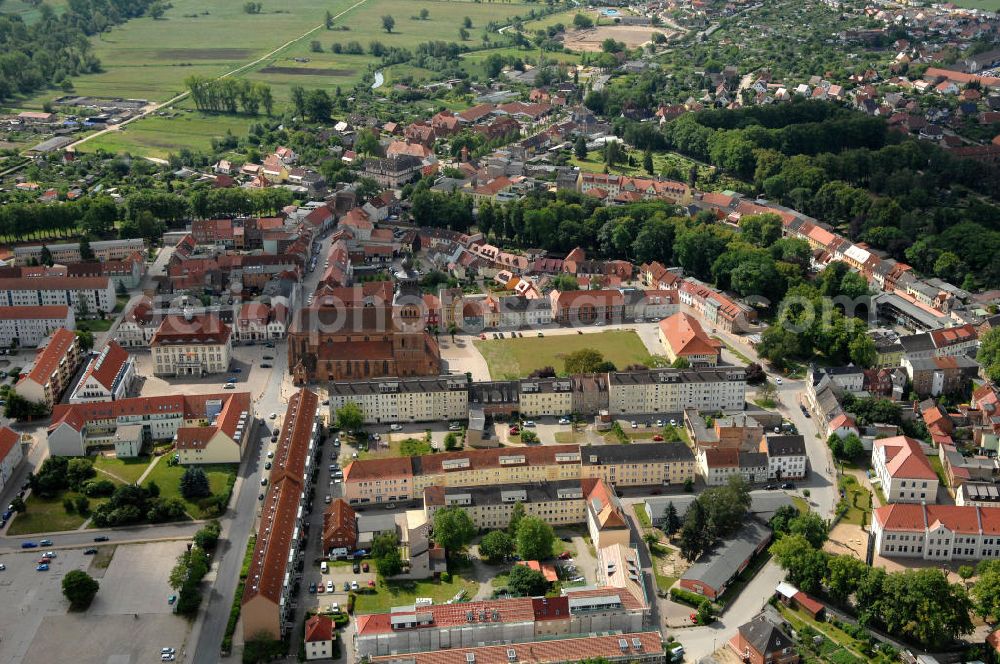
191,345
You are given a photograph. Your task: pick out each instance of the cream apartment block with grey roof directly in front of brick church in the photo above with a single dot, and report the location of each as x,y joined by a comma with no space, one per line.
404,399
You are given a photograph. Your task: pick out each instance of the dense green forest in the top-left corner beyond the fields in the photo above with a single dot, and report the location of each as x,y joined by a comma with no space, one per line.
55,48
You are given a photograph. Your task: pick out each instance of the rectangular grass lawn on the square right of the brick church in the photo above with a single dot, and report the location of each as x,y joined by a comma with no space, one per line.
516,358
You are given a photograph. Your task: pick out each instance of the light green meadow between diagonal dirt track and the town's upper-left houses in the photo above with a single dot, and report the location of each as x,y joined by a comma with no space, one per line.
158,136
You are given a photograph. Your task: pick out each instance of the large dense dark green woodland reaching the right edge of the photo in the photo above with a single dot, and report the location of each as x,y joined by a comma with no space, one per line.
911,198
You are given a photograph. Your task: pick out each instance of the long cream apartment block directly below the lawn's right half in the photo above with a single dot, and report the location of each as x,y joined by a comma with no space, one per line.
673,390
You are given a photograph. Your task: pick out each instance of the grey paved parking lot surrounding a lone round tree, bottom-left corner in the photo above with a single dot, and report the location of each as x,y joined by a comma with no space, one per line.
36,626
